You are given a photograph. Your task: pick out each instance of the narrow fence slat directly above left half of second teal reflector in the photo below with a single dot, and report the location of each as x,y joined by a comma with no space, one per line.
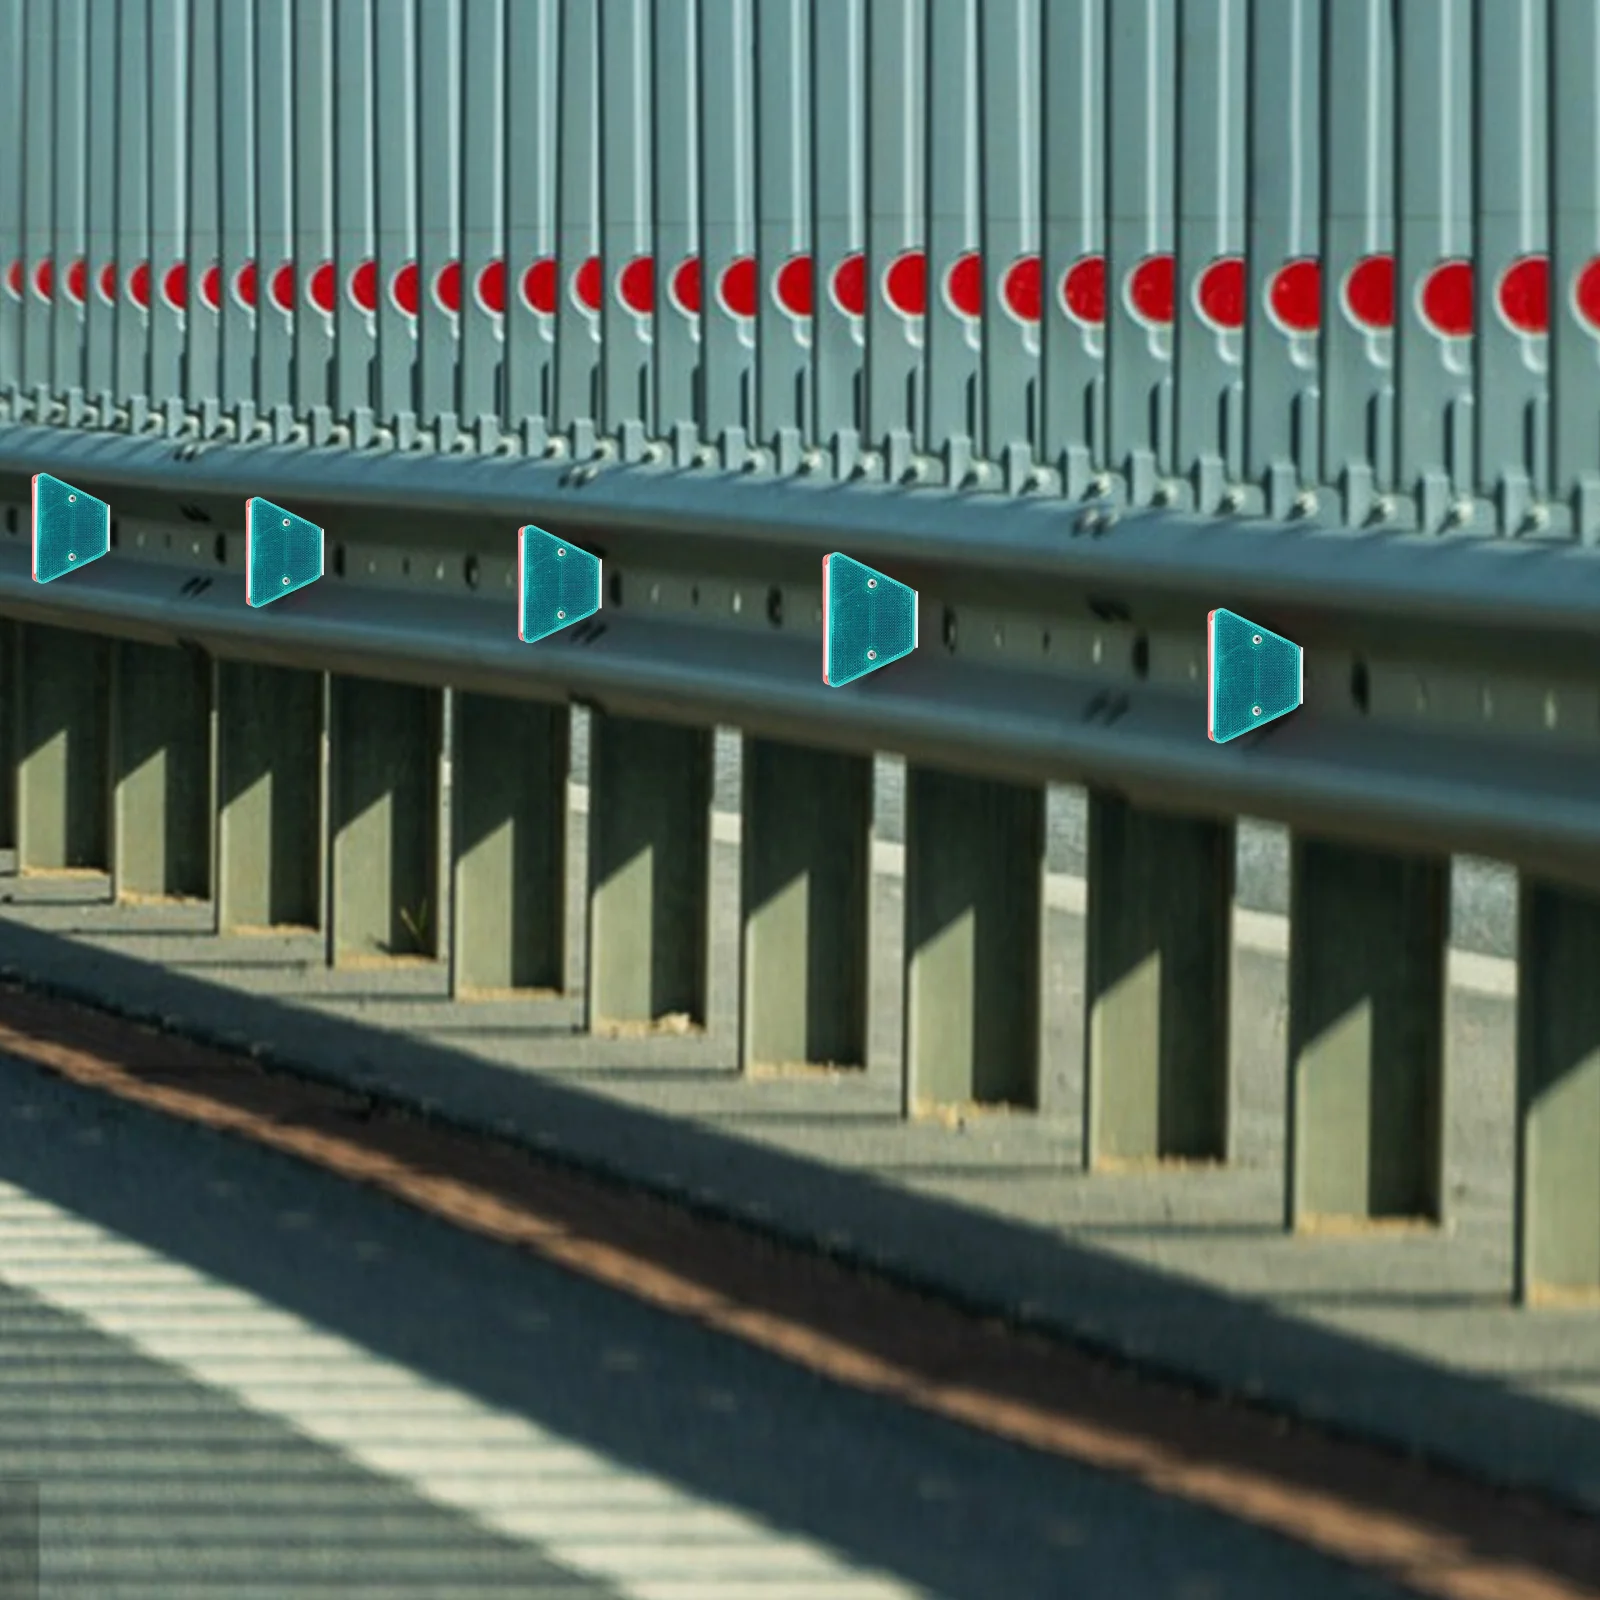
276,266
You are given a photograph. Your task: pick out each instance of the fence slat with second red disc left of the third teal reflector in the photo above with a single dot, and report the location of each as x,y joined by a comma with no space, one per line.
439,217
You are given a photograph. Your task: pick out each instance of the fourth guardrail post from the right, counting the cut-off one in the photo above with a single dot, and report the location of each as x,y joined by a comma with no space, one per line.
975,873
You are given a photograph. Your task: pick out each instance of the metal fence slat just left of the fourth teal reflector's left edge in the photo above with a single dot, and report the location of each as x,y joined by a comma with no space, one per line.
783,228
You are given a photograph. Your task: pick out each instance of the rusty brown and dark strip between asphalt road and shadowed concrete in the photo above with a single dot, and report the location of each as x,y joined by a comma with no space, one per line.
1418,1526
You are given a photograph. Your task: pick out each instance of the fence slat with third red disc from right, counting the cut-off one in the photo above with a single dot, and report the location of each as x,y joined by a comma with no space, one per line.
1434,230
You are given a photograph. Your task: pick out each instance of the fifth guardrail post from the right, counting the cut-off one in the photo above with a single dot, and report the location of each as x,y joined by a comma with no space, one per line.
806,889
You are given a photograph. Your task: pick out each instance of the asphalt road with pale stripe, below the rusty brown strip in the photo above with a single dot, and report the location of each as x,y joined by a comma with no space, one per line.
234,1375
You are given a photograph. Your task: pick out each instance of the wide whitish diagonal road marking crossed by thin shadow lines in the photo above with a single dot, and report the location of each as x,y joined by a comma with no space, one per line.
585,1511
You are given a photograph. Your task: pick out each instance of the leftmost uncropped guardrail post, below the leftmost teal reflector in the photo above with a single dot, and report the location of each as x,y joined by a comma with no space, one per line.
62,735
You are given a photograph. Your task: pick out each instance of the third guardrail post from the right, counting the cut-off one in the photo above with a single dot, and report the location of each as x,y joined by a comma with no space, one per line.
1158,986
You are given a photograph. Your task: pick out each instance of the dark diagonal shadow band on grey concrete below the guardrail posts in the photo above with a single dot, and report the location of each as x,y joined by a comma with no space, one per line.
1158,1321
